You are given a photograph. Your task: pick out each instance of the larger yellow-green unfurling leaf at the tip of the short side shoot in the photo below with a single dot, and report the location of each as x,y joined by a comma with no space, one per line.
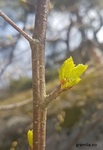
69,73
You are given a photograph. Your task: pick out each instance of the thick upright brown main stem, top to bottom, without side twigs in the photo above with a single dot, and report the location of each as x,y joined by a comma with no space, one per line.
38,73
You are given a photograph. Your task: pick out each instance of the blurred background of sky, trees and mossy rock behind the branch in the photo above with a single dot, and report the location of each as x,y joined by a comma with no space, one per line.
75,28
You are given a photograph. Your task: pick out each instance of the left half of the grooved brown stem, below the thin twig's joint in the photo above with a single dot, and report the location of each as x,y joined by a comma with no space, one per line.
36,92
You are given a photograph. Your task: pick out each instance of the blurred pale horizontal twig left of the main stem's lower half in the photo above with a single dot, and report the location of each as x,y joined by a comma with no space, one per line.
15,105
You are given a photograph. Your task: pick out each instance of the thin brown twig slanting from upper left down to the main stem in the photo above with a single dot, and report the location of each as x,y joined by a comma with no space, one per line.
24,34
